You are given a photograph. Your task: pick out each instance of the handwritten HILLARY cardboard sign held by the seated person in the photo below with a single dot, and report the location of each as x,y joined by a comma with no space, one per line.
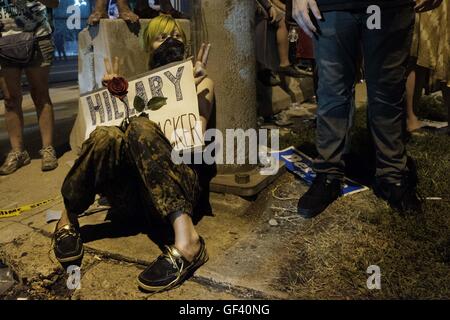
179,118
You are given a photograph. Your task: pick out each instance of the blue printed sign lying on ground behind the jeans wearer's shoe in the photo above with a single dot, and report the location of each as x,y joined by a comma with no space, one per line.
300,164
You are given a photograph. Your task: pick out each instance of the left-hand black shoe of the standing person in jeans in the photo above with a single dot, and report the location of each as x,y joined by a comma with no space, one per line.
320,195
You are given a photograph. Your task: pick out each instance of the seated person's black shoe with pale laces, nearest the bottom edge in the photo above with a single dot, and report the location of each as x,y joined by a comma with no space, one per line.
170,269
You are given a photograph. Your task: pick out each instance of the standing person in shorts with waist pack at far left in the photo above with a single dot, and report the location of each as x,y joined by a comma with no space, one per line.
19,18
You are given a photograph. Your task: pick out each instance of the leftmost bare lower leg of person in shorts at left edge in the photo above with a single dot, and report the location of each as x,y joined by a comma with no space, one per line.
11,87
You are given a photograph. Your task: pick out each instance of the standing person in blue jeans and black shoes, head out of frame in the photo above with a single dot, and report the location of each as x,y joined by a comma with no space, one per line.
339,29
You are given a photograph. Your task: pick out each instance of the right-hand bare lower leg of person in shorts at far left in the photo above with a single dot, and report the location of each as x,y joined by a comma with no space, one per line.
38,79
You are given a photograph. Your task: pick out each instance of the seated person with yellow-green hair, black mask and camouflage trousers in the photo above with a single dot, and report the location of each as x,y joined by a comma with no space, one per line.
133,169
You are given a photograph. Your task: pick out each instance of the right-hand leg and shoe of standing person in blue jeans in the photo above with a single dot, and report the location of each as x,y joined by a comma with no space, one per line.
386,53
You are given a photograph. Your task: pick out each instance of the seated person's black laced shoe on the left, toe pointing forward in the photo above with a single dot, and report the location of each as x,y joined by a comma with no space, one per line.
67,244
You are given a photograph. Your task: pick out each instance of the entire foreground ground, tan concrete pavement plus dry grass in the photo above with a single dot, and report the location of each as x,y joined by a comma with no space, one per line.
323,258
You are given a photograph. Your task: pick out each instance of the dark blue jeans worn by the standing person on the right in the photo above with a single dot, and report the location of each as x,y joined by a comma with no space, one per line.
342,36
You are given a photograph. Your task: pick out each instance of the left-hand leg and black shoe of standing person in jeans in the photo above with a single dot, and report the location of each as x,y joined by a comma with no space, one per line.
336,48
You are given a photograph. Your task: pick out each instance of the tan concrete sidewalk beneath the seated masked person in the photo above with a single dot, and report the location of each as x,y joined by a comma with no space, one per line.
245,250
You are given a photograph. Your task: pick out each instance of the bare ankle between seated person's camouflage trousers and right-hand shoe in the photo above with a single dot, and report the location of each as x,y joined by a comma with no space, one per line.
187,239
